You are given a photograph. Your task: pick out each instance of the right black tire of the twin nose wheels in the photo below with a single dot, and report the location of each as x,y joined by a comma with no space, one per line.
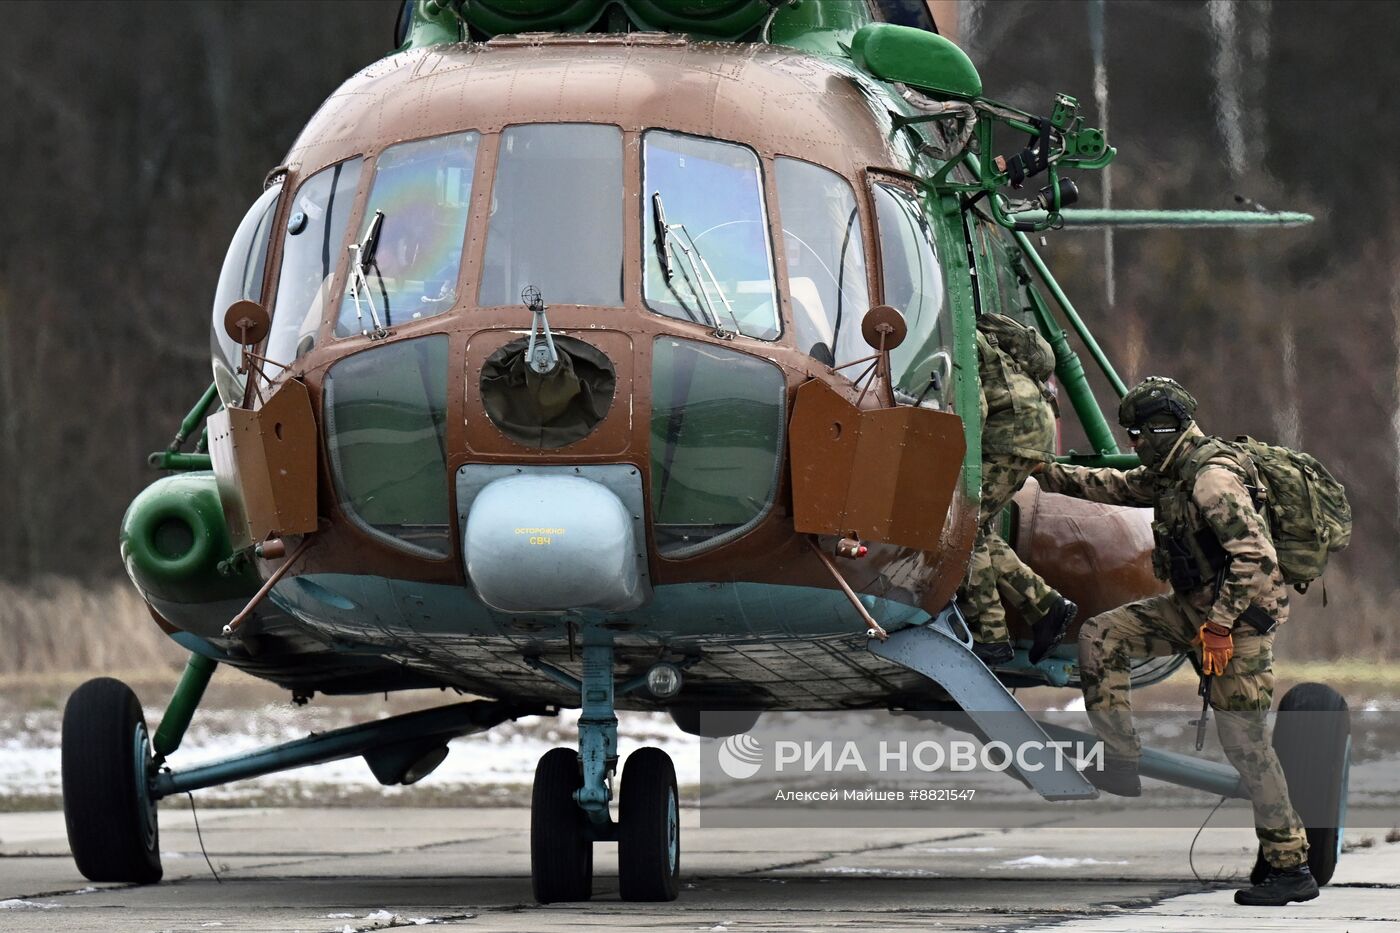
649,831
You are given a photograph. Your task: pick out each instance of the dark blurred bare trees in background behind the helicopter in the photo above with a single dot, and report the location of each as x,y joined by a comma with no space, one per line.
138,134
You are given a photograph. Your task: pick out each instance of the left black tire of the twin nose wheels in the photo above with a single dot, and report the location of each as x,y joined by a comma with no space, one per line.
561,851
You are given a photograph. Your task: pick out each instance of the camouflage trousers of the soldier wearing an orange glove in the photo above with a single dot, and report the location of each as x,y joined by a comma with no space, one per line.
1241,697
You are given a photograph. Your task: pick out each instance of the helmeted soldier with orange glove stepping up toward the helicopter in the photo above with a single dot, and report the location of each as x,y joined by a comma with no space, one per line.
1227,597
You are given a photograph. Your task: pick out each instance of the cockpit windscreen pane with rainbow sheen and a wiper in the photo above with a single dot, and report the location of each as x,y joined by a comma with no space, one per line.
425,193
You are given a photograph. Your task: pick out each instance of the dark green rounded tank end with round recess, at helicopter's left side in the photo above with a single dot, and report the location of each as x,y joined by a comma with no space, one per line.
174,540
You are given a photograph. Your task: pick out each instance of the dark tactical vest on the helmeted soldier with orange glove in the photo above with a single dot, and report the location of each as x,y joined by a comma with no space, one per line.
1186,553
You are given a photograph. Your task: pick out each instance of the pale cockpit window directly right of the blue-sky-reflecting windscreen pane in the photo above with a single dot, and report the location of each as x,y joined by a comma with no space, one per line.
825,261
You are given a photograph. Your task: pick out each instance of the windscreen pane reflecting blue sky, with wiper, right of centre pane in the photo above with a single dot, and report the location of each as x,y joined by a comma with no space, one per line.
706,235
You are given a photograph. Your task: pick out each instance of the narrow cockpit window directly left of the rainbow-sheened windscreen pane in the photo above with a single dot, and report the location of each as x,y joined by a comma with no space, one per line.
314,251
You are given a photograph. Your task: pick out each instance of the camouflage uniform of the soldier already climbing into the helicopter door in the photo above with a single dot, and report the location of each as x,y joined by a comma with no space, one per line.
1018,434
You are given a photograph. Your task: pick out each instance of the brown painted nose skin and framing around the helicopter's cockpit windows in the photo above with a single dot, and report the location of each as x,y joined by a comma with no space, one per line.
775,102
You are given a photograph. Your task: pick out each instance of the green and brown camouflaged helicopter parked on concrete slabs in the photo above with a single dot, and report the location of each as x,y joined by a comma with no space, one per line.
619,355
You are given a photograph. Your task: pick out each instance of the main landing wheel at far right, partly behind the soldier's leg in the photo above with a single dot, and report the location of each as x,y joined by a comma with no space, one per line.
1315,752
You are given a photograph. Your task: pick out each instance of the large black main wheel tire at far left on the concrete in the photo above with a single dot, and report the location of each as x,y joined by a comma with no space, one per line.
113,827
